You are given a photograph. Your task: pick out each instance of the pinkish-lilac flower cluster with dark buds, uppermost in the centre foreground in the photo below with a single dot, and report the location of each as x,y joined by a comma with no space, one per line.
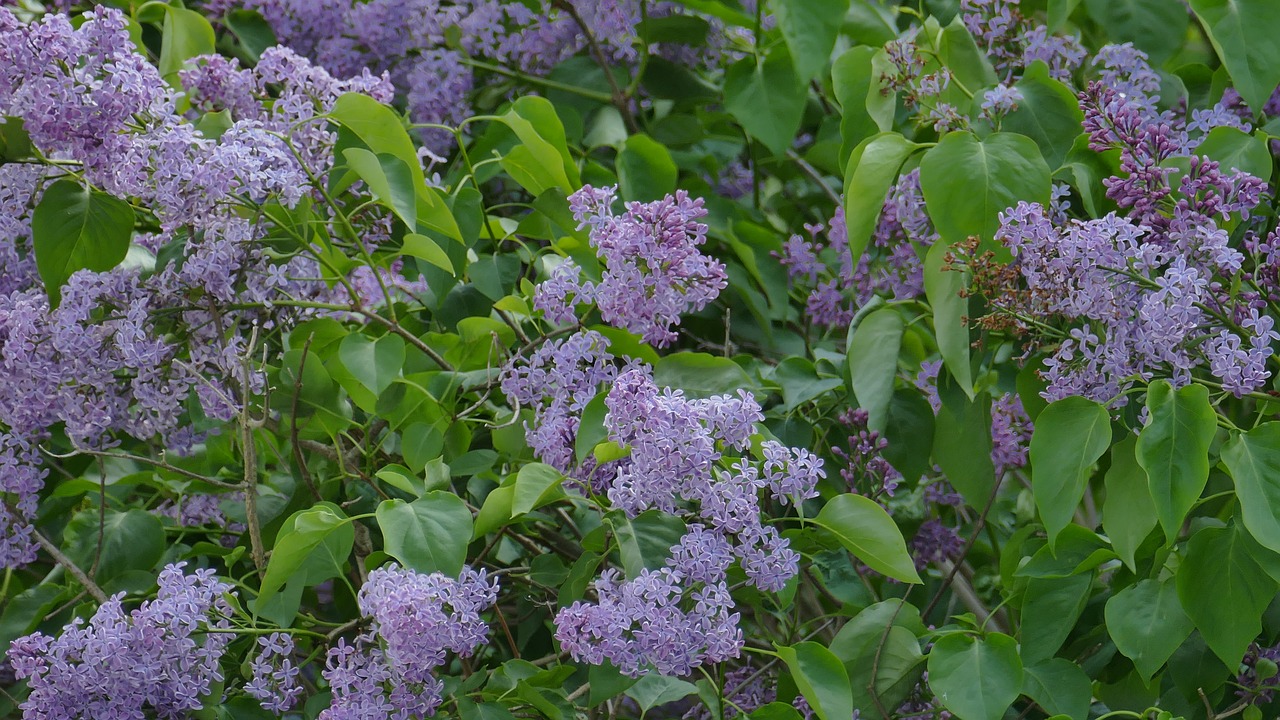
653,271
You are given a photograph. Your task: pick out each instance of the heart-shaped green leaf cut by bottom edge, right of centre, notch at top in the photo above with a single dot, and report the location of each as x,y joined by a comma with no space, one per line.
976,680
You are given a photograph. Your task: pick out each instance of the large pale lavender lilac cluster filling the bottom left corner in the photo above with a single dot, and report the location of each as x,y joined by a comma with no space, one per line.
161,658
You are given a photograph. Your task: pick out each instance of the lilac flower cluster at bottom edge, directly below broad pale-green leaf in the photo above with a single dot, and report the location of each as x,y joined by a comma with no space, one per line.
417,619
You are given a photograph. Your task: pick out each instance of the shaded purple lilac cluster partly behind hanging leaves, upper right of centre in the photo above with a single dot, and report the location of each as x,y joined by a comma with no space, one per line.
893,265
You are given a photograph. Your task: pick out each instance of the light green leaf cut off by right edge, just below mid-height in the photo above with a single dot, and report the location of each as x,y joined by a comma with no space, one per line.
1254,461
